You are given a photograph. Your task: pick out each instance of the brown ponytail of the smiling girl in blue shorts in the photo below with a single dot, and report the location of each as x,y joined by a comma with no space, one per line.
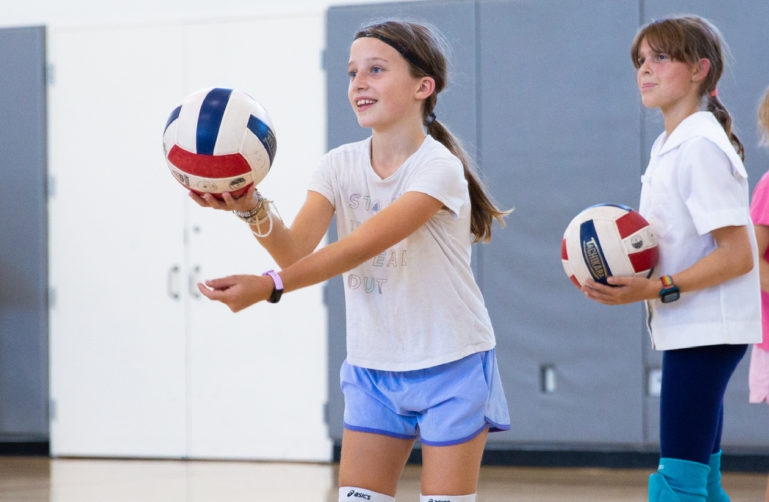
482,208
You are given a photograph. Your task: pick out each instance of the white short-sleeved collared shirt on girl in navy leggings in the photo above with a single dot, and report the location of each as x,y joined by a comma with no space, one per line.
695,183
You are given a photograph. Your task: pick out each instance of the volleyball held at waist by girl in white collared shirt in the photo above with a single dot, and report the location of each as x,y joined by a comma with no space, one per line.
605,240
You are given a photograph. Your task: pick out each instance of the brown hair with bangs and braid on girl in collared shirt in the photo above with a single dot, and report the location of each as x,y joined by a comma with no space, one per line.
689,39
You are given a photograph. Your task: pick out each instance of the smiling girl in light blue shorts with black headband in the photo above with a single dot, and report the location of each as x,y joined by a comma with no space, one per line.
420,345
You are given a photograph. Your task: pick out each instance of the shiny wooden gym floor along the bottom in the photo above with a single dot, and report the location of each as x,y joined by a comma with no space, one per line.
40,479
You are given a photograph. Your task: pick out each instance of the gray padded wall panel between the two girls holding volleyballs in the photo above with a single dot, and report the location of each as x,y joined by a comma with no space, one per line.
560,131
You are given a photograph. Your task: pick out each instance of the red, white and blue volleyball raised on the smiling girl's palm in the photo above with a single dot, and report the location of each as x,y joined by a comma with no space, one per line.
219,140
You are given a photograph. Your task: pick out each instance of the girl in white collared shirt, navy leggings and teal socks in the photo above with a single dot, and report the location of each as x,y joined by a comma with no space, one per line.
704,308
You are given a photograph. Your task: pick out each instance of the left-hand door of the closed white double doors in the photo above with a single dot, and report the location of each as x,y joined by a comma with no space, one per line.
117,335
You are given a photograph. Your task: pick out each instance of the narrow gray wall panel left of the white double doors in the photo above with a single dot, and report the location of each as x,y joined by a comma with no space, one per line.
23,230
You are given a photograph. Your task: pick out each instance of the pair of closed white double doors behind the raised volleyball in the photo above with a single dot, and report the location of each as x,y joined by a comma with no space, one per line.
141,365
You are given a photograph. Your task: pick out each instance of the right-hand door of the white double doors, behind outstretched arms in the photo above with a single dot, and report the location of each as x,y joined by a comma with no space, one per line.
258,385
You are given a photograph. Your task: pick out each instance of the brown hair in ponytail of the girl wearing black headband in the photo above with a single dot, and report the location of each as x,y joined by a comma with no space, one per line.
424,49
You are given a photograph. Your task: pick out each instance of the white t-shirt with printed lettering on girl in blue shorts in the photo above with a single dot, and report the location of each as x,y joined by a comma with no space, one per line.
416,305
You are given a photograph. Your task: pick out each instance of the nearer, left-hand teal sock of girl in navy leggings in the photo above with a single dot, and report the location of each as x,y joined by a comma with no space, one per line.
678,480
